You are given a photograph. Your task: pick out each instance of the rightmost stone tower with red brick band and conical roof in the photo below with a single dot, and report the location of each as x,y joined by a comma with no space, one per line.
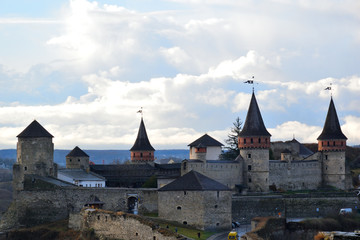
332,146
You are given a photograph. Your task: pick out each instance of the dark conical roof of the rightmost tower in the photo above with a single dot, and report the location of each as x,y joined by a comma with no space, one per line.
331,128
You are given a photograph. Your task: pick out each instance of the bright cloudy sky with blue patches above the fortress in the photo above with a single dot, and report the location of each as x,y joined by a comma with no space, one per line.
84,68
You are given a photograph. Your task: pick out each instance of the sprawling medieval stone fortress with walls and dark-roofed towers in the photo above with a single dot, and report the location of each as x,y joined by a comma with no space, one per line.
198,192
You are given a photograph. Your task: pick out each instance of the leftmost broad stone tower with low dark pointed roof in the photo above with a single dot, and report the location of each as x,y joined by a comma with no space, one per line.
35,154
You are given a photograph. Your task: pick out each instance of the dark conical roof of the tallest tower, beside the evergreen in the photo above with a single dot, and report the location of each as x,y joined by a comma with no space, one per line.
254,124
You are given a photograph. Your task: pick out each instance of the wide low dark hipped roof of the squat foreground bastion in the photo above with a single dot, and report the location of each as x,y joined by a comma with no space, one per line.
194,181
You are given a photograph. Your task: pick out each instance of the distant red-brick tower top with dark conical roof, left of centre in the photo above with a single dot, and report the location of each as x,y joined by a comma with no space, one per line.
142,151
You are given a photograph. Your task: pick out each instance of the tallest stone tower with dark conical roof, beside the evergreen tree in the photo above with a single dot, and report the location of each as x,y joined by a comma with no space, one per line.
254,144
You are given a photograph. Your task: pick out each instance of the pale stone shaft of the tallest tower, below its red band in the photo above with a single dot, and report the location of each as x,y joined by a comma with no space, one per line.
256,169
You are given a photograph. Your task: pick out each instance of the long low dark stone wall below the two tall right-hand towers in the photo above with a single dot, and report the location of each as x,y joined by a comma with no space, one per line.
244,208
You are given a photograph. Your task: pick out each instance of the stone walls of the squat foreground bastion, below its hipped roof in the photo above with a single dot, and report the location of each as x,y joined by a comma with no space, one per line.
210,210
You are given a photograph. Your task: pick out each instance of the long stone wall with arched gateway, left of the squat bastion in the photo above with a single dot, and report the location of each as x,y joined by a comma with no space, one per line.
32,207
